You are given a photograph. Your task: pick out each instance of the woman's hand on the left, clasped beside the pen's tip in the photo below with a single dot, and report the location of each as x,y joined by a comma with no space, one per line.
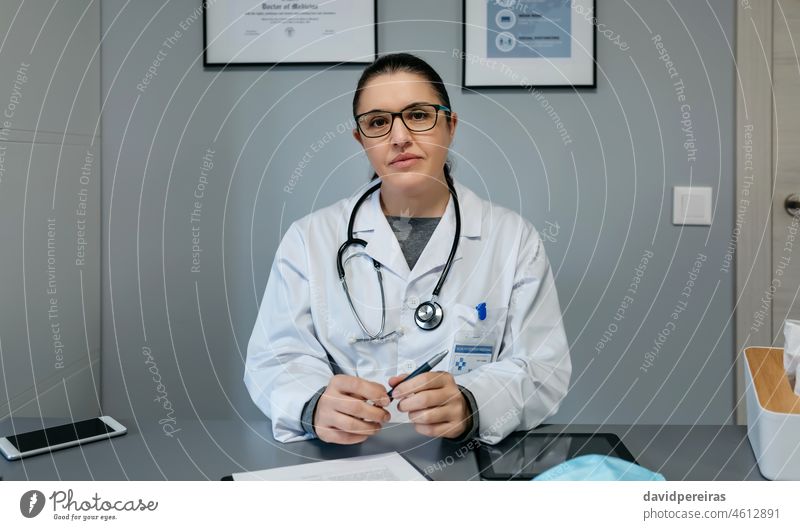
343,415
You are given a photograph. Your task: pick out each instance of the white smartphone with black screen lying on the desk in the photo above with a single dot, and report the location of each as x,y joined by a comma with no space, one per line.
60,437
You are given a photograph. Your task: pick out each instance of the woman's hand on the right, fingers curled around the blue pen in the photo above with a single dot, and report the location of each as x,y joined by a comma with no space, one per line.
434,404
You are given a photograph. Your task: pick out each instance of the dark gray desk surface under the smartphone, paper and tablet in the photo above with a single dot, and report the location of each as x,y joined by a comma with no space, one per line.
211,449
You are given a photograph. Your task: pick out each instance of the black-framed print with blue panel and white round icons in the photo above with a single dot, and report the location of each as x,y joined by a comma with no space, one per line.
528,43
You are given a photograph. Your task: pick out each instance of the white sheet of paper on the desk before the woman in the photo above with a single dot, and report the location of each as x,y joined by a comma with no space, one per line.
385,466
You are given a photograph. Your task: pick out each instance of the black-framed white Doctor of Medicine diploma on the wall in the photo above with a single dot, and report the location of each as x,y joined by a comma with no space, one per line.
249,33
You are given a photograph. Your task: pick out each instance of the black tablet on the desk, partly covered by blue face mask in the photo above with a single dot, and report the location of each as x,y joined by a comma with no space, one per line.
522,456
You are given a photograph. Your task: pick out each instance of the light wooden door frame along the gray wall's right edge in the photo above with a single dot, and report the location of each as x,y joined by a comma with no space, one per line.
754,182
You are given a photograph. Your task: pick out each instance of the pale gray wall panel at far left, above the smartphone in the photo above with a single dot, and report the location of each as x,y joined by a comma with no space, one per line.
50,208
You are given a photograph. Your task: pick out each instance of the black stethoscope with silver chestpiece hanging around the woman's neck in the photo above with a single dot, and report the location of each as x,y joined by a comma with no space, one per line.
428,315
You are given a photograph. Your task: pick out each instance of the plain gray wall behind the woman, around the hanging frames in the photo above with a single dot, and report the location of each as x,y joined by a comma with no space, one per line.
164,323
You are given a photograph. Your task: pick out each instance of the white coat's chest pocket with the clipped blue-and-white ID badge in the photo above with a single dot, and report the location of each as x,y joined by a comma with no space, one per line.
474,341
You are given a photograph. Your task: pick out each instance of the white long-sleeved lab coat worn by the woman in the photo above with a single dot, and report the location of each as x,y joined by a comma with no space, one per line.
304,316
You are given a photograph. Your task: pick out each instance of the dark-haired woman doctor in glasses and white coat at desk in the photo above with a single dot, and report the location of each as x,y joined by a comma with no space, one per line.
428,266
